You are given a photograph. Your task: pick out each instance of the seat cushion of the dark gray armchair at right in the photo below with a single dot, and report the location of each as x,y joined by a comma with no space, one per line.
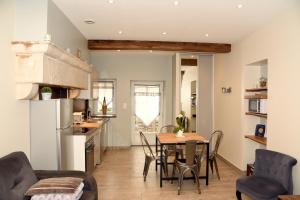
260,188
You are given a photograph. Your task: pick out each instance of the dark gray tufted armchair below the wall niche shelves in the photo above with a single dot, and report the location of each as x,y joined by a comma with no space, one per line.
272,176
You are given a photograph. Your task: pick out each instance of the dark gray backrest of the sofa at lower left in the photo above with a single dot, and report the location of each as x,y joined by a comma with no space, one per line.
16,176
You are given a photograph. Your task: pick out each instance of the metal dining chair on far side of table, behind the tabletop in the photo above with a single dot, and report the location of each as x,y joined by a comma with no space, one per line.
170,150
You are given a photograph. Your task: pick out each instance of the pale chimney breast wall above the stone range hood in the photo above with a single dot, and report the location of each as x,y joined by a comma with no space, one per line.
36,18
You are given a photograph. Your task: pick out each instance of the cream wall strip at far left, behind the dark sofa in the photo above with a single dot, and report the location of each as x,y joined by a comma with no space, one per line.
14,118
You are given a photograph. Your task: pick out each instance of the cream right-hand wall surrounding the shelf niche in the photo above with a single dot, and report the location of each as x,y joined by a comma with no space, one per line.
279,43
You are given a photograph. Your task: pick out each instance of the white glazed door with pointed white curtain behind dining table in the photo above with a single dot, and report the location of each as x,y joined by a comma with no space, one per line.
147,112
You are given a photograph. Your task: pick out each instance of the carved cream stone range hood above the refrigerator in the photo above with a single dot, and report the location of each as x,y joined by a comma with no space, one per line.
43,63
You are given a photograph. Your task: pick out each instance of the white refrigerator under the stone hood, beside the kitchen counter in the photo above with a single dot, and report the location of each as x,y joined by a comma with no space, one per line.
50,121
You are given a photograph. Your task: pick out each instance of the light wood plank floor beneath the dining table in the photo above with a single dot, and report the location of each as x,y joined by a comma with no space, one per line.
119,177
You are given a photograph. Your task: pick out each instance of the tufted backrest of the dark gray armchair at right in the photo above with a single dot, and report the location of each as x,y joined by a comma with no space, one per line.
275,165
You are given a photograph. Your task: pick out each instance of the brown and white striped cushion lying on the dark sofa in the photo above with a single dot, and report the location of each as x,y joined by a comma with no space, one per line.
55,185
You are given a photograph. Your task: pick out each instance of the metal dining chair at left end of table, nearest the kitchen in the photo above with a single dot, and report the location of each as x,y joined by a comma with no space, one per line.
149,155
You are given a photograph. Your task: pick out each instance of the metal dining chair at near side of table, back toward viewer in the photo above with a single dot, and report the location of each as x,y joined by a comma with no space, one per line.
191,163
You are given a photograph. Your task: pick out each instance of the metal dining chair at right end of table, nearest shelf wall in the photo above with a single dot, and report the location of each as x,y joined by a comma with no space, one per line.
215,140
